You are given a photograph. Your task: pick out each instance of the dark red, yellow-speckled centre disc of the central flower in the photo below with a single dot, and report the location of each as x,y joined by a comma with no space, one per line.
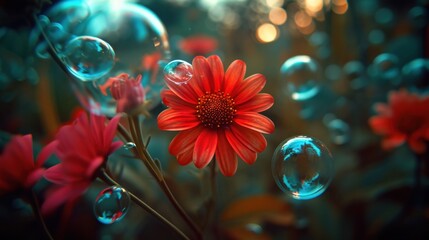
216,110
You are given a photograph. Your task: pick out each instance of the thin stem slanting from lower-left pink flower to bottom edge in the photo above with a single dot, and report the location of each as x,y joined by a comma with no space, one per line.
108,180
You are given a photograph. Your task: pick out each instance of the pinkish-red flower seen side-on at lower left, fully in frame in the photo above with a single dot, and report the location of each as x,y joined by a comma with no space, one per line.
83,148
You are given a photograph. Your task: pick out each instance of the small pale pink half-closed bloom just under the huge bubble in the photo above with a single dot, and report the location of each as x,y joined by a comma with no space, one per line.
128,92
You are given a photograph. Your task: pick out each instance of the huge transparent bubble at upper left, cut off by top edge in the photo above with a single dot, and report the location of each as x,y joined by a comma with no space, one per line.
97,41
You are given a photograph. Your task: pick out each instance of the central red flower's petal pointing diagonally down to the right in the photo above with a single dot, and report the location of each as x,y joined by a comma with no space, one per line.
255,141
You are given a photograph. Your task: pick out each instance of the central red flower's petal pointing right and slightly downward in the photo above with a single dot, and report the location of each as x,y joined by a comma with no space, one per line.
255,121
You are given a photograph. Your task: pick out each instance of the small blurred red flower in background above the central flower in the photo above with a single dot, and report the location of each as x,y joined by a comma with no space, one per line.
198,45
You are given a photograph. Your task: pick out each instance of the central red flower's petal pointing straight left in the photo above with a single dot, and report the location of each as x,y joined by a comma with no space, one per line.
172,120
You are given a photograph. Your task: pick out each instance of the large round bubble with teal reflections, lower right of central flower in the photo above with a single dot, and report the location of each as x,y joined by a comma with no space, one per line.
302,167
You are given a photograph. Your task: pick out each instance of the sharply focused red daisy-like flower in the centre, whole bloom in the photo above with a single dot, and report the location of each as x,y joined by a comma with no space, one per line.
217,114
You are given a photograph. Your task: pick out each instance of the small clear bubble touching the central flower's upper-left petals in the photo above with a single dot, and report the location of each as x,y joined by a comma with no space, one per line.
178,72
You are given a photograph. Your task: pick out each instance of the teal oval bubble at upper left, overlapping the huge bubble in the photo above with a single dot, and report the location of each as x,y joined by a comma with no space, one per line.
88,58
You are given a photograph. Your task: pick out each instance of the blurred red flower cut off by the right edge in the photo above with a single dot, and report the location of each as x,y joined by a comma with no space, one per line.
404,119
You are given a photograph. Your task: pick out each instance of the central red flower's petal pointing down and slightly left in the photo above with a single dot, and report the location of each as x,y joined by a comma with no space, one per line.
205,147
